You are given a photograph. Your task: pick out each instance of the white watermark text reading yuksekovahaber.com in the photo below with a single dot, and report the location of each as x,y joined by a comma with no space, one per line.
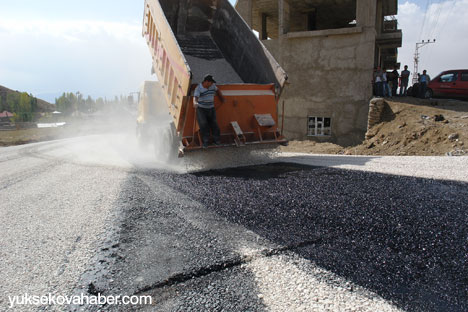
51,299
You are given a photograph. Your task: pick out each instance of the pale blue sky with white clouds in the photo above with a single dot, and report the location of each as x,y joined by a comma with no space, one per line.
52,46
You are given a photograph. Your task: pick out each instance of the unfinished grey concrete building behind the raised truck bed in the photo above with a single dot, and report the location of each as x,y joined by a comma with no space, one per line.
329,49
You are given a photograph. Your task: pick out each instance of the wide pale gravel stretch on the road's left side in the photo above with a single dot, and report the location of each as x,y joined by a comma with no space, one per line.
53,214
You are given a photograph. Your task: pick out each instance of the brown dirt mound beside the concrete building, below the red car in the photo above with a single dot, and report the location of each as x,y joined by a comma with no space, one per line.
411,127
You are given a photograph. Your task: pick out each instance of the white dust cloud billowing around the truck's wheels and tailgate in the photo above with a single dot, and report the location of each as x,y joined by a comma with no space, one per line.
112,138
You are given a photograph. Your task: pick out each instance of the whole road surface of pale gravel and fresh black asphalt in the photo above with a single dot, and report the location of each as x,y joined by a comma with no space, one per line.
303,233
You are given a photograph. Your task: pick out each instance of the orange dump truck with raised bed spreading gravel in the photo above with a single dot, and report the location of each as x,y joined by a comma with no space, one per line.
189,39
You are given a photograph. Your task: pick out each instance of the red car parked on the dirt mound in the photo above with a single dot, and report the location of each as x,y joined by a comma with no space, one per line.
450,83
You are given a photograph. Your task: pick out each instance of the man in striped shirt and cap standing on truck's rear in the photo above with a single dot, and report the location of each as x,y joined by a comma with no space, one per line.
203,102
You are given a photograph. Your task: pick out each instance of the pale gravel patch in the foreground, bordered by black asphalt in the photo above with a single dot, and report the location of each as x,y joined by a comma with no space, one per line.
291,283
